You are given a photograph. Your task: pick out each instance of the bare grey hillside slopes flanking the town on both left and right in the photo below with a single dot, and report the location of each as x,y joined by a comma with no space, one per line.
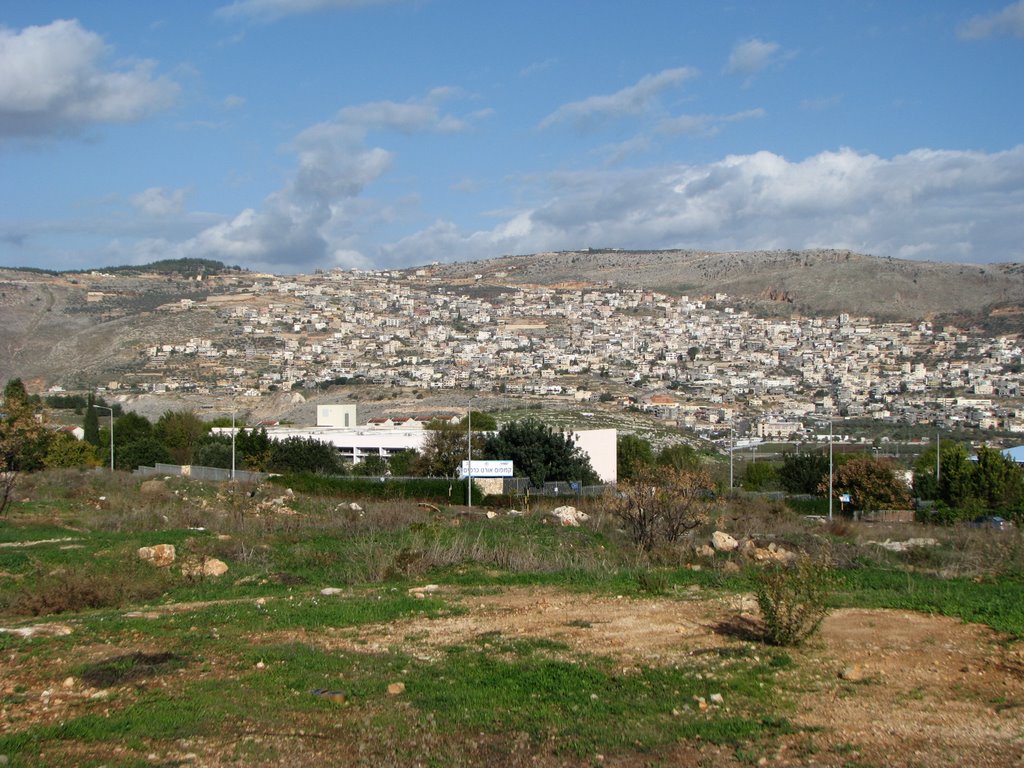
86,329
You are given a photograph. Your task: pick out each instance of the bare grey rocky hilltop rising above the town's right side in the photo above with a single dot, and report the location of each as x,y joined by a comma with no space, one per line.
820,282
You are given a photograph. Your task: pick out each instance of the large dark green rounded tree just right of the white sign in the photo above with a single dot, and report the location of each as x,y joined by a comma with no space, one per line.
540,453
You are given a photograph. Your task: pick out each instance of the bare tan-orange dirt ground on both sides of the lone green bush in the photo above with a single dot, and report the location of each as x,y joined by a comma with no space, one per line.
921,691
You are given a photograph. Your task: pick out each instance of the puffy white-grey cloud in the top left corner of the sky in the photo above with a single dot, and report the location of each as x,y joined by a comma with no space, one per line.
55,82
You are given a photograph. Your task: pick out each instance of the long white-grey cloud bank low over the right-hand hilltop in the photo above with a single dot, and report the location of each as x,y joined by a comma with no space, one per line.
941,205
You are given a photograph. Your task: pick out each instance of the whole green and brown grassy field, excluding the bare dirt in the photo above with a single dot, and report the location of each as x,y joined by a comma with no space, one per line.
106,660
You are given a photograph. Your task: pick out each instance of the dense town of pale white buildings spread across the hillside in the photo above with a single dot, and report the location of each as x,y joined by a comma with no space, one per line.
697,363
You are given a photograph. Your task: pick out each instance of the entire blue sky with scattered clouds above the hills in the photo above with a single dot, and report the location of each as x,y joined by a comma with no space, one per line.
294,136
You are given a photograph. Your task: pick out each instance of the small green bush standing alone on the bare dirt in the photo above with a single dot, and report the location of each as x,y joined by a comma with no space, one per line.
794,601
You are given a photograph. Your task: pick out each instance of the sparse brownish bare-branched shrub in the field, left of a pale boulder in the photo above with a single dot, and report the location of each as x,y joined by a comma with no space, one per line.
661,505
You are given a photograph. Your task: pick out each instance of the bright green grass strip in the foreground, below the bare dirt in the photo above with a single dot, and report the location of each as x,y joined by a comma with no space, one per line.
583,704
